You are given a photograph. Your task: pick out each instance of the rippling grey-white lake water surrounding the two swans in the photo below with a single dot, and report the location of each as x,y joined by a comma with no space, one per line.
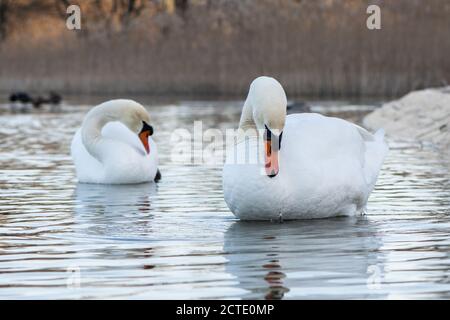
177,239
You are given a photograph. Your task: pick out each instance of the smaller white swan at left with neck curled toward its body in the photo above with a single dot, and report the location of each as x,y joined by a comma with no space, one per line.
114,146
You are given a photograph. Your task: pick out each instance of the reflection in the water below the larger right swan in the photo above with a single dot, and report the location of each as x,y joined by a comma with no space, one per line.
314,259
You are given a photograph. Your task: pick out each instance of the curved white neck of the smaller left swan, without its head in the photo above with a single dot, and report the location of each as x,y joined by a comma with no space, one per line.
91,132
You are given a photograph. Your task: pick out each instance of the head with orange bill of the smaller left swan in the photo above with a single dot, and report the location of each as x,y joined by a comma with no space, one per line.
137,119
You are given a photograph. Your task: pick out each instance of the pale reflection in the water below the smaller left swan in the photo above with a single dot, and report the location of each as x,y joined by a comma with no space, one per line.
114,210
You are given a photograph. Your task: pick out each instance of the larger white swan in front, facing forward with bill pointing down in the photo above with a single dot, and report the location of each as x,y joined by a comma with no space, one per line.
326,166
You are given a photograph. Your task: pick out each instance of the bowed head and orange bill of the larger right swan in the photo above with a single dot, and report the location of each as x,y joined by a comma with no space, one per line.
269,104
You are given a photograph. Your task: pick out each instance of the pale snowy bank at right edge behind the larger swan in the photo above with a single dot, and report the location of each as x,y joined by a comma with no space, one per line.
420,115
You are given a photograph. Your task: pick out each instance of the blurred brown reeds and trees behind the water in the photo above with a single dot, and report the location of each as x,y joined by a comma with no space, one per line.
211,48
